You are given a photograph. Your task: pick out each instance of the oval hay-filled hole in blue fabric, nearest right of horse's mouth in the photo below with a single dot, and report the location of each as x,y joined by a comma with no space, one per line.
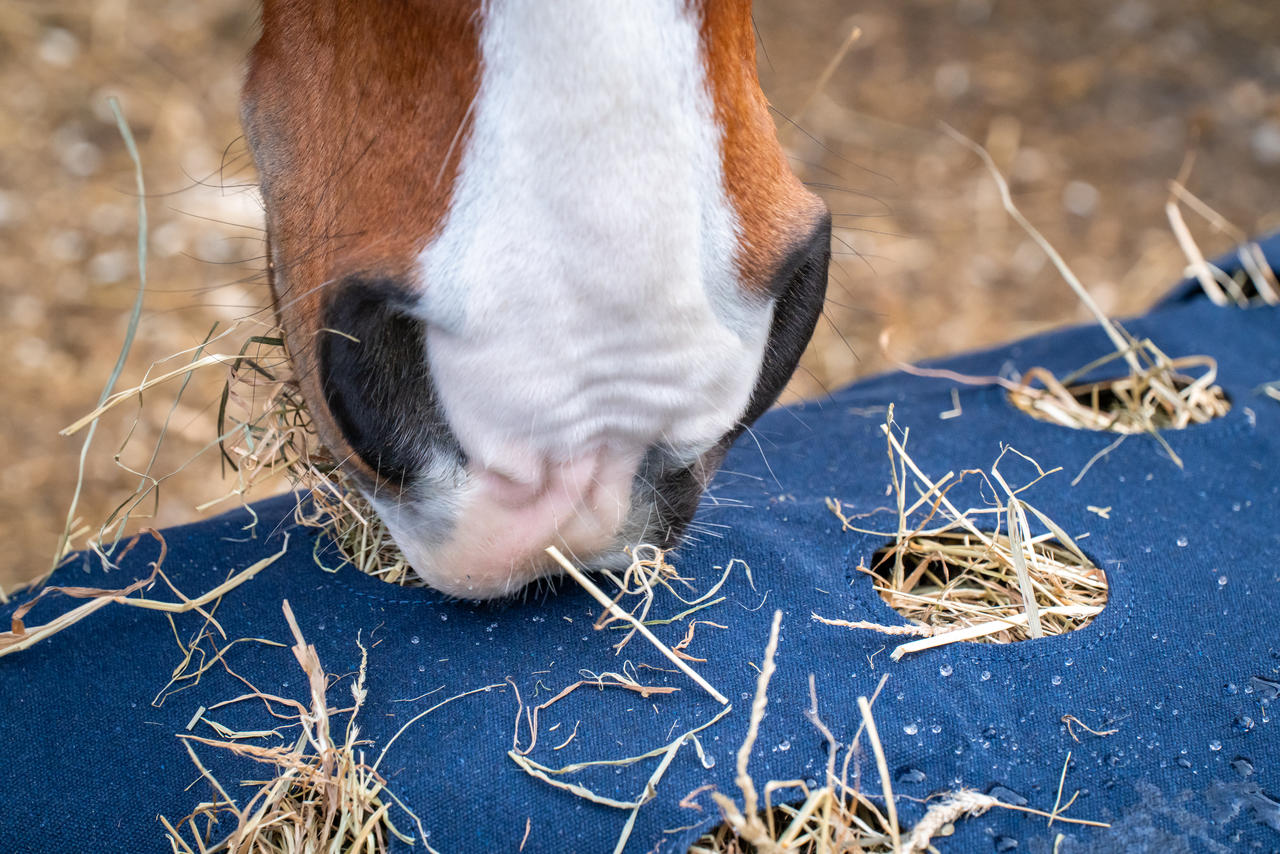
957,581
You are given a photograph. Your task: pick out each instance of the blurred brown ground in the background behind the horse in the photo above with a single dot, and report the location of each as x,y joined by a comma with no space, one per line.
1089,106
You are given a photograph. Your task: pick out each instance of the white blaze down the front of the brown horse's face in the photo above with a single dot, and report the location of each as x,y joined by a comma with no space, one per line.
583,290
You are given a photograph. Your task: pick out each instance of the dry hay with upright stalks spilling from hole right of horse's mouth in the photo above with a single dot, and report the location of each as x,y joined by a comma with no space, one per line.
958,577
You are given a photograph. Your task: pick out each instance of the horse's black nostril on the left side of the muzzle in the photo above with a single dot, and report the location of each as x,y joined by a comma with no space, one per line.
376,380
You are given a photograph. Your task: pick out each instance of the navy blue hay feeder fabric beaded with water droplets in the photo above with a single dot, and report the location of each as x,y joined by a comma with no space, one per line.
1183,664
